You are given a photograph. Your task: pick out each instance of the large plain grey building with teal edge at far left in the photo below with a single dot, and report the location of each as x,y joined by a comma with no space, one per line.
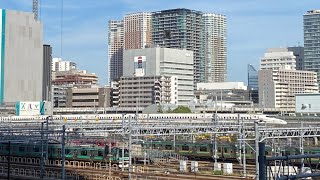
21,57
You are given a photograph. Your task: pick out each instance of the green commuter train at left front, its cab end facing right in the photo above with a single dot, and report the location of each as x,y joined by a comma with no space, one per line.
79,153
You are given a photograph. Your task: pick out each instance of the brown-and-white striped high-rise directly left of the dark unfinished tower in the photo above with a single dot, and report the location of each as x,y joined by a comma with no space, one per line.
137,30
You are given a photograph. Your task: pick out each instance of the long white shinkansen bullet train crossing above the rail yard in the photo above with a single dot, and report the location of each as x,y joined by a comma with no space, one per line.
180,117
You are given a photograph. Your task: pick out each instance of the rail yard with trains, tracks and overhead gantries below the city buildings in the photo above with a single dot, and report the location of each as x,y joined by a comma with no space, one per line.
149,146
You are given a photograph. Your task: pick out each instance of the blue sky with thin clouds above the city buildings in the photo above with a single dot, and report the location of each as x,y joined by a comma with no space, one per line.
252,27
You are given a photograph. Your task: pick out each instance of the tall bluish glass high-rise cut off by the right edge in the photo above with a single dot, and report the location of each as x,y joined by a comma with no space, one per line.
311,28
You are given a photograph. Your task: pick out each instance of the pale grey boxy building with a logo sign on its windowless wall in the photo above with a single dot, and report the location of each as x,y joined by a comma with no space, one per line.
153,62
